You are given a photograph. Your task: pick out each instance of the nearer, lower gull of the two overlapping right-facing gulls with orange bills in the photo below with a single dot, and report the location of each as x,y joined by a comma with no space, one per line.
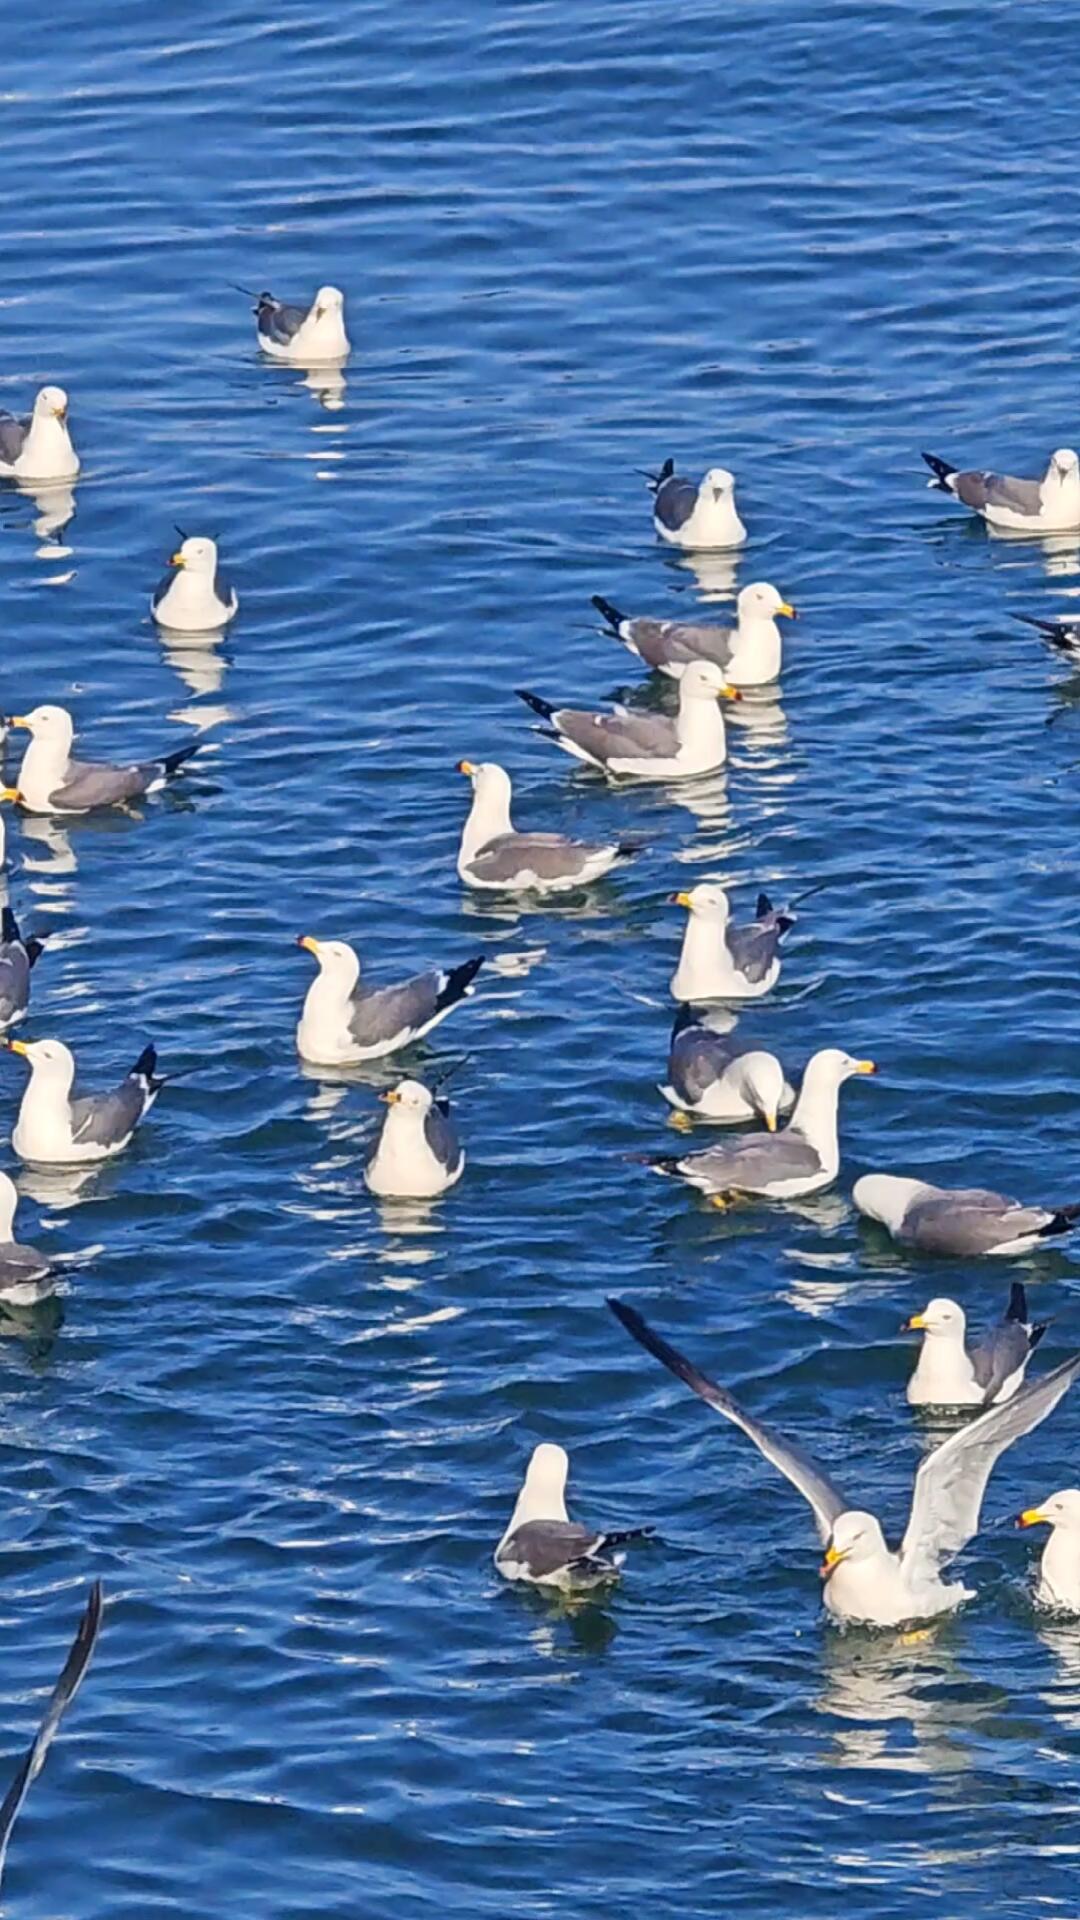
649,746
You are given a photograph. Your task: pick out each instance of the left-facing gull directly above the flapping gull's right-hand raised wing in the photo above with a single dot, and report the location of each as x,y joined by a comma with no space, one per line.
954,1376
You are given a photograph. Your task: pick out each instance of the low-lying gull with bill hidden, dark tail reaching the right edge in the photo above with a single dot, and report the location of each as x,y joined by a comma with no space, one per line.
958,1220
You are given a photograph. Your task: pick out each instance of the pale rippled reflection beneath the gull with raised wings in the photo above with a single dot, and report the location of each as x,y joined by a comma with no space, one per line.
902,1706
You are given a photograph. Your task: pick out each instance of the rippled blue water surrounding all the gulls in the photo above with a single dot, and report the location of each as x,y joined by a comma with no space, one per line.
285,1428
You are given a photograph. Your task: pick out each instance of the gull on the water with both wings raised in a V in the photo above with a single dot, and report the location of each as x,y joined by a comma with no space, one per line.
864,1579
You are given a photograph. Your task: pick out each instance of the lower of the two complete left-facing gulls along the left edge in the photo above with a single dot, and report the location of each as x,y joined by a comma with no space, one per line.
57,1130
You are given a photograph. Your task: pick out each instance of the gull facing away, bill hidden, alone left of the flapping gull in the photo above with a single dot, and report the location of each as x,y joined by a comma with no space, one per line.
543,1547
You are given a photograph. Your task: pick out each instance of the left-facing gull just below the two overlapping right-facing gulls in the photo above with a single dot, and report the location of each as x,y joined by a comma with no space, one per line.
495,857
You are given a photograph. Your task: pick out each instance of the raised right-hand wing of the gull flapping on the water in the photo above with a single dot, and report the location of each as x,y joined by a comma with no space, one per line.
952,1479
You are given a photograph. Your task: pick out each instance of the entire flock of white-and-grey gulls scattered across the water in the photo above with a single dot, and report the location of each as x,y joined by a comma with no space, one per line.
793,1141
